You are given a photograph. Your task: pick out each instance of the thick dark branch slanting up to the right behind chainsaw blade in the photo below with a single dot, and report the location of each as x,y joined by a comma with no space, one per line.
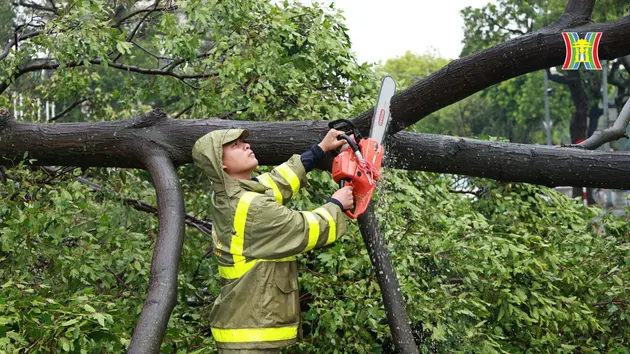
465,76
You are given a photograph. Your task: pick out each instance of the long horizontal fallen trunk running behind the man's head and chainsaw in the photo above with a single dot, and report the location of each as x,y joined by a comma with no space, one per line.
121,144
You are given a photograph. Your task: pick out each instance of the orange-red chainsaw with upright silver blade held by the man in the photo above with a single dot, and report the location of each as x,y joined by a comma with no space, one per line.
359,163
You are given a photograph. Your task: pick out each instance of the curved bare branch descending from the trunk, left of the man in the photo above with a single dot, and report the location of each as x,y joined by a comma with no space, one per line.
162,295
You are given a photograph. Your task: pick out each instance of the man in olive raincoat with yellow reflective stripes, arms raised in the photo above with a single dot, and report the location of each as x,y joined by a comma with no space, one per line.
256,238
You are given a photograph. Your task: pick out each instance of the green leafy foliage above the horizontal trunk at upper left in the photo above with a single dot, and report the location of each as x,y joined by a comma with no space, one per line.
271,61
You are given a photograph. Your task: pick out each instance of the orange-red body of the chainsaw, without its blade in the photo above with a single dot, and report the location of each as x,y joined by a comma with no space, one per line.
362,176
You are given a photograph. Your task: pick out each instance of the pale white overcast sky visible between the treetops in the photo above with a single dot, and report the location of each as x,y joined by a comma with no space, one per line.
381,30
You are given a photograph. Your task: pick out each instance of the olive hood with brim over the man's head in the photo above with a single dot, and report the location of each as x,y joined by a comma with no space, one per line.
208,155
